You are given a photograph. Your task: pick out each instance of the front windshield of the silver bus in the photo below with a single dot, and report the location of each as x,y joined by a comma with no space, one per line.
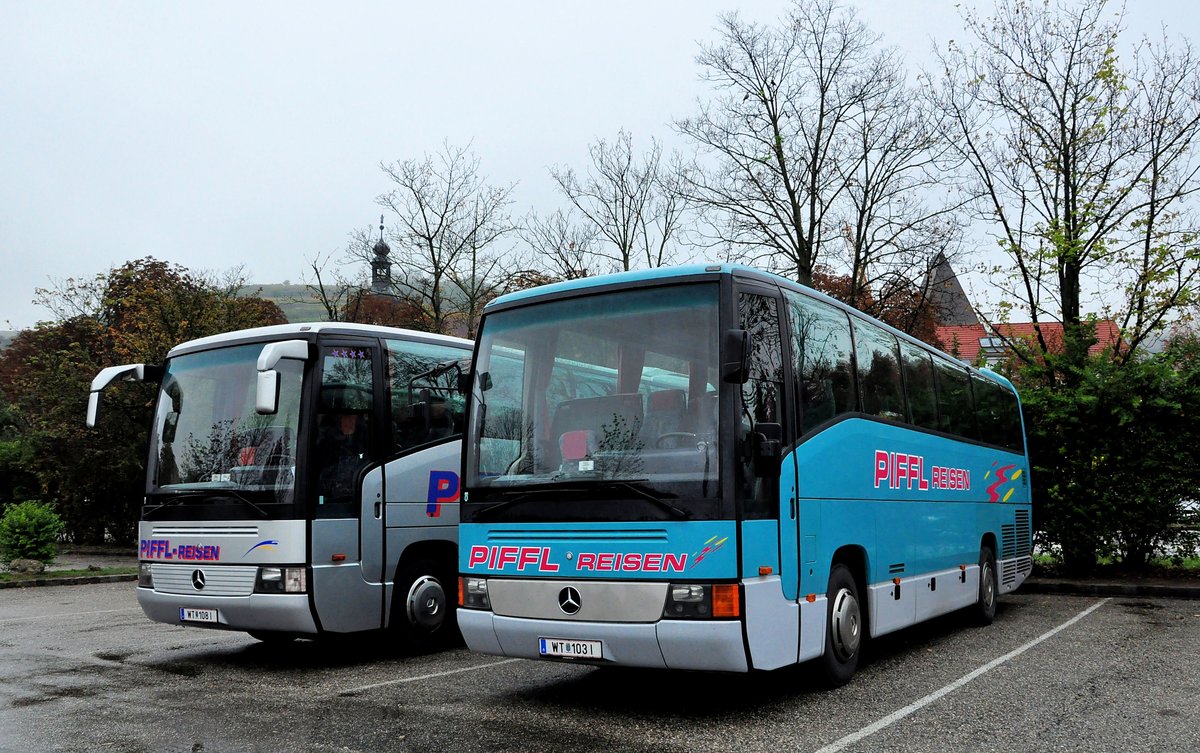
207,437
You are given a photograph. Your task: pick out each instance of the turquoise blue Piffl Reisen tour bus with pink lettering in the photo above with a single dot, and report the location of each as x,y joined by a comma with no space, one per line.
716,468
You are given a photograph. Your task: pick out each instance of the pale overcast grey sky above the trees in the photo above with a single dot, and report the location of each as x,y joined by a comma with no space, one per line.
219,135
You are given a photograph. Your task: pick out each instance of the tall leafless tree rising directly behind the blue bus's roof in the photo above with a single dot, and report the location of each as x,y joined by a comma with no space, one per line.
778,131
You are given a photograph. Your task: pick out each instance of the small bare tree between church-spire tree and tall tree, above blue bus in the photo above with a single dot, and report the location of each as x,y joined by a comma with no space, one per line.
632,203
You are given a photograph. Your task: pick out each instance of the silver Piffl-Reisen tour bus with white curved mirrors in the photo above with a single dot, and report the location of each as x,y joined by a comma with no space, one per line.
303,481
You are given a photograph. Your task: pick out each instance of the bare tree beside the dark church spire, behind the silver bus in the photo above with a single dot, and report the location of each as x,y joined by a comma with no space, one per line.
448,220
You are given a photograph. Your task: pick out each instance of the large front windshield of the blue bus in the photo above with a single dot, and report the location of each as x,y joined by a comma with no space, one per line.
598,407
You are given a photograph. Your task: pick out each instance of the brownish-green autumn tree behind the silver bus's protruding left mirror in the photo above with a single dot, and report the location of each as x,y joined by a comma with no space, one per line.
135,314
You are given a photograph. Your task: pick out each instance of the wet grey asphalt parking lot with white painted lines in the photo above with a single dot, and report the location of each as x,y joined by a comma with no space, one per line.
81,670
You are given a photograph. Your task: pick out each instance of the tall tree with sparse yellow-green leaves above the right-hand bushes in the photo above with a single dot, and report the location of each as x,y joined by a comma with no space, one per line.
1085,168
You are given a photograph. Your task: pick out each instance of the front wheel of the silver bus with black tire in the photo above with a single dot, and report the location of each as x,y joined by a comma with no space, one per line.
423,611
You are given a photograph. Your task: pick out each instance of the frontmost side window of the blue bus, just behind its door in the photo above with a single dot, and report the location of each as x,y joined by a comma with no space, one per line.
821,348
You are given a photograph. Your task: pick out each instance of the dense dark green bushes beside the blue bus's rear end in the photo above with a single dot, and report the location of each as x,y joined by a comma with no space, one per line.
1114,454
